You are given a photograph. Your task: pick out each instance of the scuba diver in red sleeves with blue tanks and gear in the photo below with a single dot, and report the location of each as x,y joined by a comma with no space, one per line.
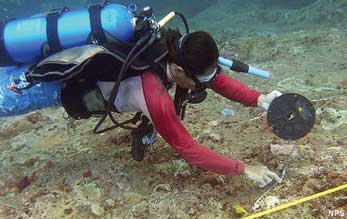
98,76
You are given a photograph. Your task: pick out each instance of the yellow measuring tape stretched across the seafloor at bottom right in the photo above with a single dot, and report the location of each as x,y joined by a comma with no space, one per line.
296,202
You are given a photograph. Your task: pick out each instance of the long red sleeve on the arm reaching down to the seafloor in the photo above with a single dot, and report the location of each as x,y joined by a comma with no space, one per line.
162,112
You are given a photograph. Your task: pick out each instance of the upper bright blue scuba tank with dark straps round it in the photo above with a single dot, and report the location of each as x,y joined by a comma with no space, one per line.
27,40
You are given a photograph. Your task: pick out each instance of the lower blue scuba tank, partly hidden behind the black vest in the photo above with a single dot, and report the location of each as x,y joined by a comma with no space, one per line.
14,101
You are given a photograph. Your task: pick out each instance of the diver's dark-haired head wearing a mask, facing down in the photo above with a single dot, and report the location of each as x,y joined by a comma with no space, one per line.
194,56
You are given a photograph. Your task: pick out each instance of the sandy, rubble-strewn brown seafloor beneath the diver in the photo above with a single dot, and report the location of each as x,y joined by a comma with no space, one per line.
48,172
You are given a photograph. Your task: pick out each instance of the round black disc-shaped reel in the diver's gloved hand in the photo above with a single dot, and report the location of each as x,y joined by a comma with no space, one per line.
291,116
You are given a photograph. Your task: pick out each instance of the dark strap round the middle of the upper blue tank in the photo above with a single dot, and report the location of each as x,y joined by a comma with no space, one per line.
52,30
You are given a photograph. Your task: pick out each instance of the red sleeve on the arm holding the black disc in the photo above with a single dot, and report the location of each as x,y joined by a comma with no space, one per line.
234,90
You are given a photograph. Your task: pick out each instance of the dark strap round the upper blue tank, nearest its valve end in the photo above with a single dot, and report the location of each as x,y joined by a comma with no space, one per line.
95,22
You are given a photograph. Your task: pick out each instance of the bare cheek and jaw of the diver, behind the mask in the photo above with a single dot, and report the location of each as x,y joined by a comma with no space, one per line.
180,77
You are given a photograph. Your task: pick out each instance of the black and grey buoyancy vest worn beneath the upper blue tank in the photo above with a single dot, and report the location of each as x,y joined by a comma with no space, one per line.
81,67
